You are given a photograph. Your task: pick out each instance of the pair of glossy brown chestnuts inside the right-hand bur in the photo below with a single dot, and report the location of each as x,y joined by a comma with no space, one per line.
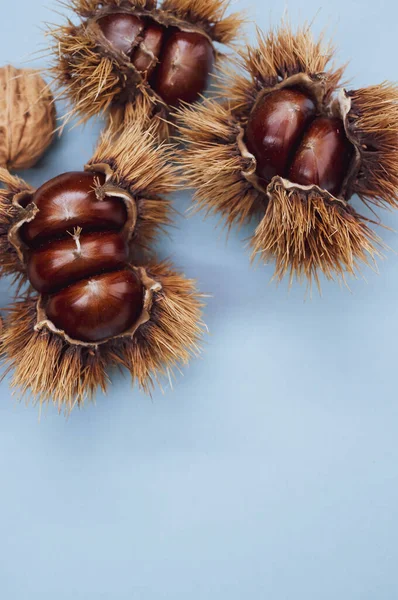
288,138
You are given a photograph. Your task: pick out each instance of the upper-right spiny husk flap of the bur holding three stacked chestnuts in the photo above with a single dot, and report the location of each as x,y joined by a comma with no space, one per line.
142,167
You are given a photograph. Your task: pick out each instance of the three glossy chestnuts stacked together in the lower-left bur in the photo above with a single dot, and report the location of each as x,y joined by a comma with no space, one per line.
77,260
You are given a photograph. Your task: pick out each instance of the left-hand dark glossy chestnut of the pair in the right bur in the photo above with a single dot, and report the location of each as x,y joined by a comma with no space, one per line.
275,128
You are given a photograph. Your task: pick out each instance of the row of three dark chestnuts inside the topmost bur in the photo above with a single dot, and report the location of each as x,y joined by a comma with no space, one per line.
179,62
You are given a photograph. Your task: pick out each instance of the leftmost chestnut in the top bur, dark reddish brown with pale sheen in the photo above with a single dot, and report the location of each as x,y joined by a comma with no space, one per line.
121,30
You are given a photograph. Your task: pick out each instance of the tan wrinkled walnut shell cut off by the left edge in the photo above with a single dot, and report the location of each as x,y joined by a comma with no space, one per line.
27,117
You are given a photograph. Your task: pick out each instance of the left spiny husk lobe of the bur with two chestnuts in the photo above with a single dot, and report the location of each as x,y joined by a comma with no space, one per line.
213,164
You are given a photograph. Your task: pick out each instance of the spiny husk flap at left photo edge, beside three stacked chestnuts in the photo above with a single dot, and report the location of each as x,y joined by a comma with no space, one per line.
10,263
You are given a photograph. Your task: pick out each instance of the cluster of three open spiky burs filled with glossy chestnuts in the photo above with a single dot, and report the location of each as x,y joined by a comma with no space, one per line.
281,141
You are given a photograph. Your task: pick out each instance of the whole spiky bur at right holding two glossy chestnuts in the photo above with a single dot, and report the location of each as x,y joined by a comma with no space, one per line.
290,147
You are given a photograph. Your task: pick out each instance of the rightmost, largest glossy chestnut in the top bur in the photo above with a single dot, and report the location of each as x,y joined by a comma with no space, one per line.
183,73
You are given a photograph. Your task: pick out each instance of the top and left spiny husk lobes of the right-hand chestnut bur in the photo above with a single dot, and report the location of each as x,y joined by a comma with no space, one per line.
213,164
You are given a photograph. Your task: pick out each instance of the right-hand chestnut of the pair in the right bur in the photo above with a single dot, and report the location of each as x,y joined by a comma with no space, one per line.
323,156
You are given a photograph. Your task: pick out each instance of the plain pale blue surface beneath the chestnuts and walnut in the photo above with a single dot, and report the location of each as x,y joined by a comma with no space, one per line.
271,470
